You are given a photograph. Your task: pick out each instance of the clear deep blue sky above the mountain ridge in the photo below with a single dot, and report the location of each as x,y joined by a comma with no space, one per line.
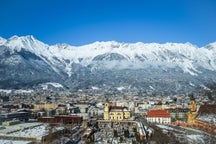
79,22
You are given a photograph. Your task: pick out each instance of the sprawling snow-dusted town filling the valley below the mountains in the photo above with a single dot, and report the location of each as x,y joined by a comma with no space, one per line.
66,118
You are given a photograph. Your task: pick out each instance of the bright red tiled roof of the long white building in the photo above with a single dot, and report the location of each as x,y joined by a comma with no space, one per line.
158,113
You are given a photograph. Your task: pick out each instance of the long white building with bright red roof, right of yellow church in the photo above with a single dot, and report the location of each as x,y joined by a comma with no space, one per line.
159,116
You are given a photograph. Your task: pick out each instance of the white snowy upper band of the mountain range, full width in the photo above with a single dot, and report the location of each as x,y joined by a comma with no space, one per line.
113,54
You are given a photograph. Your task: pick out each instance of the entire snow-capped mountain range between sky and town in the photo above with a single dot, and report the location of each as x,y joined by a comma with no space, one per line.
26,60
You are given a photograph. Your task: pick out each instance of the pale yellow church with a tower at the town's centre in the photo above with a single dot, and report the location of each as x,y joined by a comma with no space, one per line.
115,112
